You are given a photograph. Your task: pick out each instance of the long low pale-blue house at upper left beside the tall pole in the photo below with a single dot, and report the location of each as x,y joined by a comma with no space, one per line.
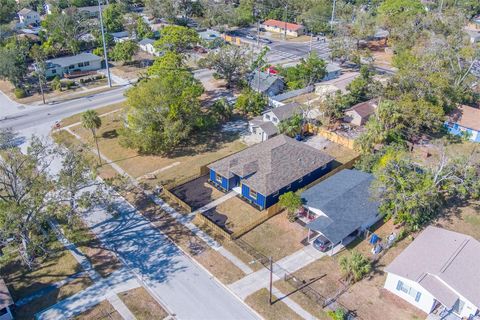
66,65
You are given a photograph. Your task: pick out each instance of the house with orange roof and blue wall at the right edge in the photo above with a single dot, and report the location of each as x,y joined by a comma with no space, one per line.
464,120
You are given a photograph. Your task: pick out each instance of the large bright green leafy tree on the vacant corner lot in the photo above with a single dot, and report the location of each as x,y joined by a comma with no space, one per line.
162,111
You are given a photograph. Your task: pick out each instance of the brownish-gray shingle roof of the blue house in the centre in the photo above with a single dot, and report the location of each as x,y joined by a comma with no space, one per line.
272,164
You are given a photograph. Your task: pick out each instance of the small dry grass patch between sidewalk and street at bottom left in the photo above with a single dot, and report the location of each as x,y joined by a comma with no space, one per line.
142,304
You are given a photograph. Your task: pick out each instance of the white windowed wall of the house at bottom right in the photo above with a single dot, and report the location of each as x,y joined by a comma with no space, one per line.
426,302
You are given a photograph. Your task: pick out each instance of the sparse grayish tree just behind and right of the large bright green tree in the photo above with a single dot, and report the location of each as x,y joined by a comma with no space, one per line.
229,62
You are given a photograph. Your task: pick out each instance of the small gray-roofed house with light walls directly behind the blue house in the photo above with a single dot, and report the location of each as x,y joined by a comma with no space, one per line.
265,126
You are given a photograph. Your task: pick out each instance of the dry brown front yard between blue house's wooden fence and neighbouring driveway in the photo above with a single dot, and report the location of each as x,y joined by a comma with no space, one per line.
277,237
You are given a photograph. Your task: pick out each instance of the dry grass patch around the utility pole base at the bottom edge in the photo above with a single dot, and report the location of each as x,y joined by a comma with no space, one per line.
259,301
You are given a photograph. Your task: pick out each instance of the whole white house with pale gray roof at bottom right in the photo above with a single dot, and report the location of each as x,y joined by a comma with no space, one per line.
438,272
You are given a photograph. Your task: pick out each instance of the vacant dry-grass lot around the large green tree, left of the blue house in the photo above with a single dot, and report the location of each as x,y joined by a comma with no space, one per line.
168,170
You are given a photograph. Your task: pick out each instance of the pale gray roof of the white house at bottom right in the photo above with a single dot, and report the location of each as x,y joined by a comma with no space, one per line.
442,257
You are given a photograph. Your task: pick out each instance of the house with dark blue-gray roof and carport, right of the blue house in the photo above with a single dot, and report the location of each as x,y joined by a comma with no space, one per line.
341,206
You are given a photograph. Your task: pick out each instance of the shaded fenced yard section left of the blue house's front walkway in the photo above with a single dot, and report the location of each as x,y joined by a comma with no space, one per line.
197,193
